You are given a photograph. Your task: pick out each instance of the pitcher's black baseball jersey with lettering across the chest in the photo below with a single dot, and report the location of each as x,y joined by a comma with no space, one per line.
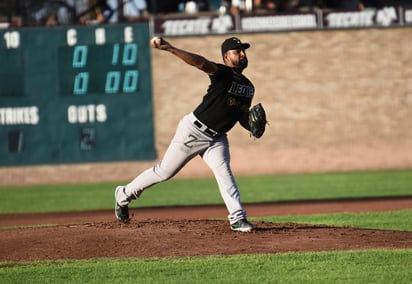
227,99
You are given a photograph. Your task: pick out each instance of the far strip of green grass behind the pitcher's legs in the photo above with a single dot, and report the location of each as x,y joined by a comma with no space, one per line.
181,192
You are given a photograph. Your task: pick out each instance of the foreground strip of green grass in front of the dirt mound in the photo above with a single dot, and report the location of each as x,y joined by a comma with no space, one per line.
371,266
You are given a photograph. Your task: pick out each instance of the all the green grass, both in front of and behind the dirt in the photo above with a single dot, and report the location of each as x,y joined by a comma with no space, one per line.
367,266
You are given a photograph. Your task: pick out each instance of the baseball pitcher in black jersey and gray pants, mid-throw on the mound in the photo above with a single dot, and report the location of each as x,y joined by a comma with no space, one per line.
203,131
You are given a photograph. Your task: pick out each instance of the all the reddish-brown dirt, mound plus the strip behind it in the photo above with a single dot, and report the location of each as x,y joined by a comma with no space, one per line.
190,231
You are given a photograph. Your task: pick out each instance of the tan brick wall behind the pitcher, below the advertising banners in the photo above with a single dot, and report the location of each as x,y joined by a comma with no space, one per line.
319,88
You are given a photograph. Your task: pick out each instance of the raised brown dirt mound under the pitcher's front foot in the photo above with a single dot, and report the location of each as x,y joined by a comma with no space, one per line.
187,238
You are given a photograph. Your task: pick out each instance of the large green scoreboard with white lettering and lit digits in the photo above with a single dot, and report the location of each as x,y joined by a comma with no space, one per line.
76,94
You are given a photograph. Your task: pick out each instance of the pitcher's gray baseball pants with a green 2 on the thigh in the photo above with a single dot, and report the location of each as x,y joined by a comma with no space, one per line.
189,141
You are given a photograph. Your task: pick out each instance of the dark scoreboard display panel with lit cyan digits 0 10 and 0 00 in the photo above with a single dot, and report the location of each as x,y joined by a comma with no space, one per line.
96,69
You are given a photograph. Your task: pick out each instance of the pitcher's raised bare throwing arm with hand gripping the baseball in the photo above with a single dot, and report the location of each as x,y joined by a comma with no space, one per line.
195,60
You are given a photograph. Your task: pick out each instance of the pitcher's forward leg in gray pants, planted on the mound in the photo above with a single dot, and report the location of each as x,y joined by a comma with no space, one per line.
217,158
